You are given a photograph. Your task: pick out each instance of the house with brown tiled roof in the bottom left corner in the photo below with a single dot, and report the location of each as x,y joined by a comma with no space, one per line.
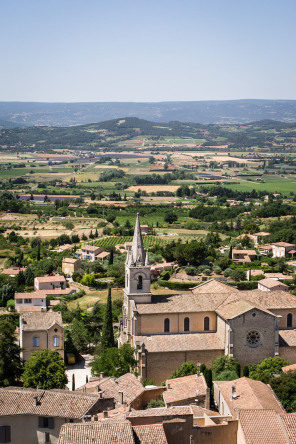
35,416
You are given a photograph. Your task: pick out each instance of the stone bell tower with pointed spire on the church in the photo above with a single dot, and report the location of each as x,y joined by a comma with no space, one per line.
137,270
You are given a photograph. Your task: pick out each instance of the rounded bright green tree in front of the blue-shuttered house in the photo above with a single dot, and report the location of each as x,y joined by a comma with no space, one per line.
46,370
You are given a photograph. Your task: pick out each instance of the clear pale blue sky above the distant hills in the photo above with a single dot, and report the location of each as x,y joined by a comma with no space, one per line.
147,50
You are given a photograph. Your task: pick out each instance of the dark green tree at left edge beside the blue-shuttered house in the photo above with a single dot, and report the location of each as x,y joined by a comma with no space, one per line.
10,362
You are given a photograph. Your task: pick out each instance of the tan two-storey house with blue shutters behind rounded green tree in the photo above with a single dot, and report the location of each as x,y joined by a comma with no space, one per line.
41,331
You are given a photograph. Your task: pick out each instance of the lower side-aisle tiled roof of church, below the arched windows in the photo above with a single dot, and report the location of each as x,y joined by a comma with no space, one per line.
181,342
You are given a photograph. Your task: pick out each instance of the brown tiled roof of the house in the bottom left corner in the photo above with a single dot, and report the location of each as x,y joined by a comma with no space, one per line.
58,403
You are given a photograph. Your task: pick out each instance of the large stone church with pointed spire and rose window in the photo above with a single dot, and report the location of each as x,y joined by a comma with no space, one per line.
214,319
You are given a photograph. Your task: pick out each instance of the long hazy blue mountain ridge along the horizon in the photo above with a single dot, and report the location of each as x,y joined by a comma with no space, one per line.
24,114
